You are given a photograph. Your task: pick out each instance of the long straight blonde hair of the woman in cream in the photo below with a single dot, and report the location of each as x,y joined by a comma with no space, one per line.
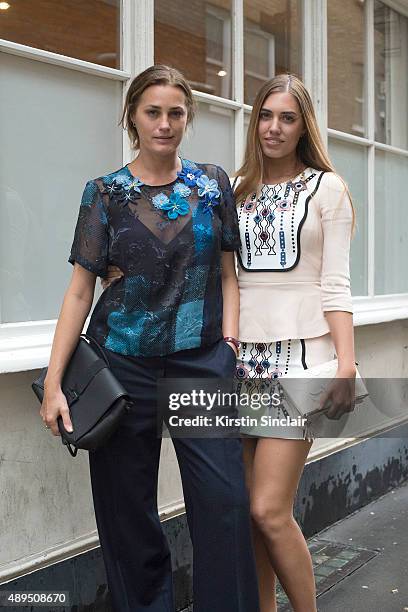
310,149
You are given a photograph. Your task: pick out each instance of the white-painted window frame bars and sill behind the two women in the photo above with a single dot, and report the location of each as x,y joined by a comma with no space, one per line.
26,345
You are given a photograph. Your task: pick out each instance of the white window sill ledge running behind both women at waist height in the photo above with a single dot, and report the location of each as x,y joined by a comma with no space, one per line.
26,346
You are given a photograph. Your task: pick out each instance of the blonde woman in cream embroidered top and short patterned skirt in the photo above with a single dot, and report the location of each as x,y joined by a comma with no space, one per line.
296,220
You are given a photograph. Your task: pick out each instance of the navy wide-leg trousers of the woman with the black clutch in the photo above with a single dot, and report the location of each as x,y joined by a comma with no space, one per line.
124,483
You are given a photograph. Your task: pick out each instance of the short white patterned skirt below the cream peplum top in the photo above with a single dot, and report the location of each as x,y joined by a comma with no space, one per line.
259,364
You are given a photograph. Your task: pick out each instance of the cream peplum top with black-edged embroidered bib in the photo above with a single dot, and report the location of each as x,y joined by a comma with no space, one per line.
294,257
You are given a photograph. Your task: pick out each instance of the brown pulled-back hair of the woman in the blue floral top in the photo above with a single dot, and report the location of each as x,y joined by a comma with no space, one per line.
158,74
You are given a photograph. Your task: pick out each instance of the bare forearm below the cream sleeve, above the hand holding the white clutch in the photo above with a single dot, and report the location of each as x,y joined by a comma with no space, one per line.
342,332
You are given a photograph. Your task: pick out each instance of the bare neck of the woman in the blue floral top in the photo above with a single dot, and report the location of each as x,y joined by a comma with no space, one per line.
155,169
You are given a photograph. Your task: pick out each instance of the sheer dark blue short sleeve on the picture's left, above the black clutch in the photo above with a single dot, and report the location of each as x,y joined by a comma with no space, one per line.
90,245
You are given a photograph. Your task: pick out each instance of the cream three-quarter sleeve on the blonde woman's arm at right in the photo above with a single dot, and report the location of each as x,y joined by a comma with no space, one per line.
336,217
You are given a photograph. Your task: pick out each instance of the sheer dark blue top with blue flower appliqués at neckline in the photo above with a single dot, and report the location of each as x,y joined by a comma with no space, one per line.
168,241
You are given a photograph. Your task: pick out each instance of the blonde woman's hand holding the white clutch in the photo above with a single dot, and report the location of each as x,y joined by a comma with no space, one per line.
340,396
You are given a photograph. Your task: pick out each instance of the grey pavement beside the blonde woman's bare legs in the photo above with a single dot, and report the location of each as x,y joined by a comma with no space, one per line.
361,562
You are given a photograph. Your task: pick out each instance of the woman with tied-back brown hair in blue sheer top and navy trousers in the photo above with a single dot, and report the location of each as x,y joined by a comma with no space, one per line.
171,227
